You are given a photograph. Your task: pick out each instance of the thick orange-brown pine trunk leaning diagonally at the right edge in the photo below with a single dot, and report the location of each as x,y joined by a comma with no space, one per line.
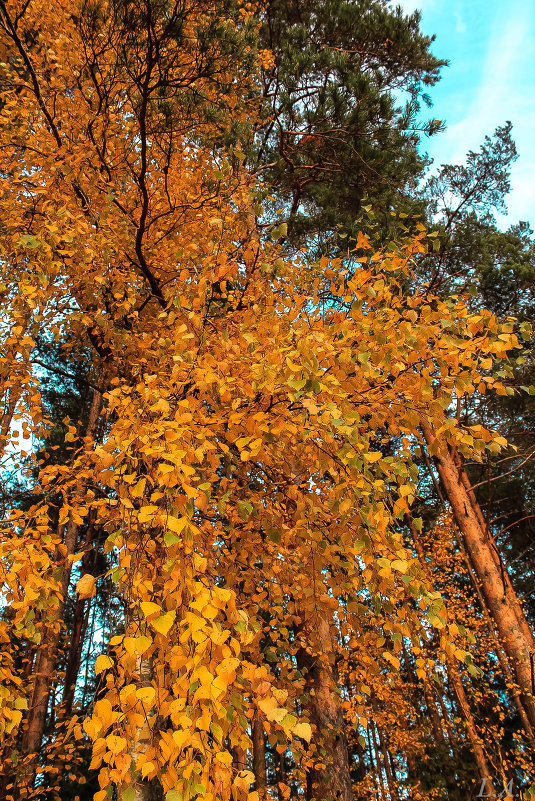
499,595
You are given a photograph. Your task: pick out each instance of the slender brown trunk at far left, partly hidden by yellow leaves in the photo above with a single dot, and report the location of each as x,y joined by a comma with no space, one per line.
46,659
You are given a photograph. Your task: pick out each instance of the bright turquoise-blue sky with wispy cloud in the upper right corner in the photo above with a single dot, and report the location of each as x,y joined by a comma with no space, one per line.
491,78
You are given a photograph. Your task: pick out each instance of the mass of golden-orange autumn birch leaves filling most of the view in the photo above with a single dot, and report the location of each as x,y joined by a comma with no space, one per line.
240,485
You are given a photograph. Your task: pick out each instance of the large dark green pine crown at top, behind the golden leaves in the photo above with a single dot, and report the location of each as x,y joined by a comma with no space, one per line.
340,127
